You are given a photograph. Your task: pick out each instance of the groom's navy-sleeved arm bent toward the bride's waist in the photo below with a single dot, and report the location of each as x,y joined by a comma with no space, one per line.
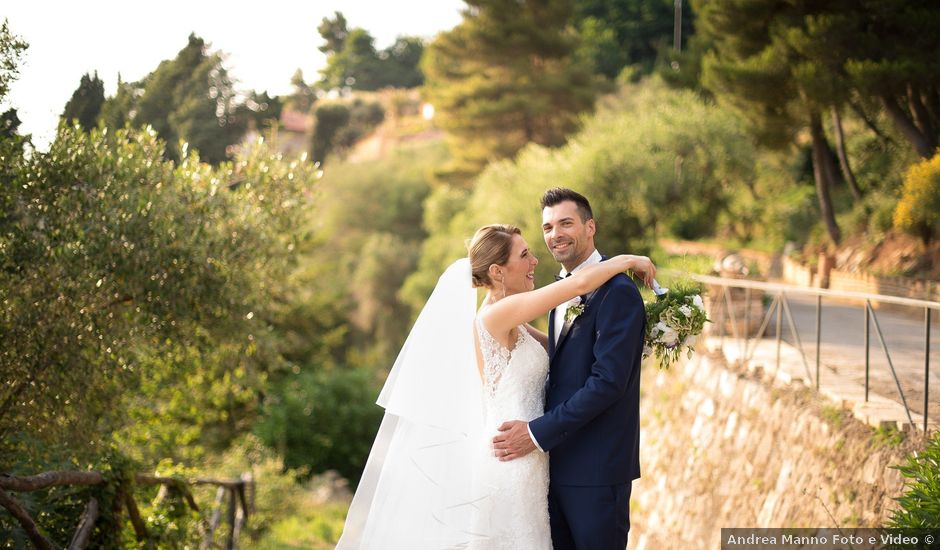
620,319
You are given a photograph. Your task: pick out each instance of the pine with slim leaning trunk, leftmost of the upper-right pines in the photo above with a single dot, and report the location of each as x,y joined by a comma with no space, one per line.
762,60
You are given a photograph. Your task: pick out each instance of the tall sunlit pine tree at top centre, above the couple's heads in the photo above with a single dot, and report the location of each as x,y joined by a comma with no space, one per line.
505,77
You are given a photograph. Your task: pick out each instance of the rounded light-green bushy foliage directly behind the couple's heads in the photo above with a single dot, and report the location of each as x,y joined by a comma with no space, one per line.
652,161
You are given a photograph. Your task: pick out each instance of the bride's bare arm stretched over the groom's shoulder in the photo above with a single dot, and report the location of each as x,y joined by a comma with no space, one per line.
512,311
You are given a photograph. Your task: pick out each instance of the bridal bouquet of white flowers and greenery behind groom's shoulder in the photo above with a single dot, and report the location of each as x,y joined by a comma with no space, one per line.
673,323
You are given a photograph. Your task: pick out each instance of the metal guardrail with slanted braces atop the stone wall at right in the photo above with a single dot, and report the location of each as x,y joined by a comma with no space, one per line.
781,305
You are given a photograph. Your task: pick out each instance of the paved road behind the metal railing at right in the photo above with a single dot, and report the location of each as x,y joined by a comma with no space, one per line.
842,349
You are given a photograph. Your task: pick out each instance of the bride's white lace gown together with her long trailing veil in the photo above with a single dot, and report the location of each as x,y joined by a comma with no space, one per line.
432,481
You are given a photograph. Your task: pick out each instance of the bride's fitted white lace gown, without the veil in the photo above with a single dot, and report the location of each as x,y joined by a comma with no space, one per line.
513,389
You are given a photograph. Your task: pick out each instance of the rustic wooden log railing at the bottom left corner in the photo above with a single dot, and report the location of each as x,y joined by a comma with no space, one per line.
240,503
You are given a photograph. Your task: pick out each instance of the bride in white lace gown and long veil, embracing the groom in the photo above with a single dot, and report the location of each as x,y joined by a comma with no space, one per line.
432,480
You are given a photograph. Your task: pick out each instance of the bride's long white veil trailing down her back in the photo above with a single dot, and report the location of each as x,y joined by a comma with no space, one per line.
418,489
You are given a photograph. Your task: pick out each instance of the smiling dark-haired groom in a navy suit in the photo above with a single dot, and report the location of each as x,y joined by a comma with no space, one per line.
591,423
